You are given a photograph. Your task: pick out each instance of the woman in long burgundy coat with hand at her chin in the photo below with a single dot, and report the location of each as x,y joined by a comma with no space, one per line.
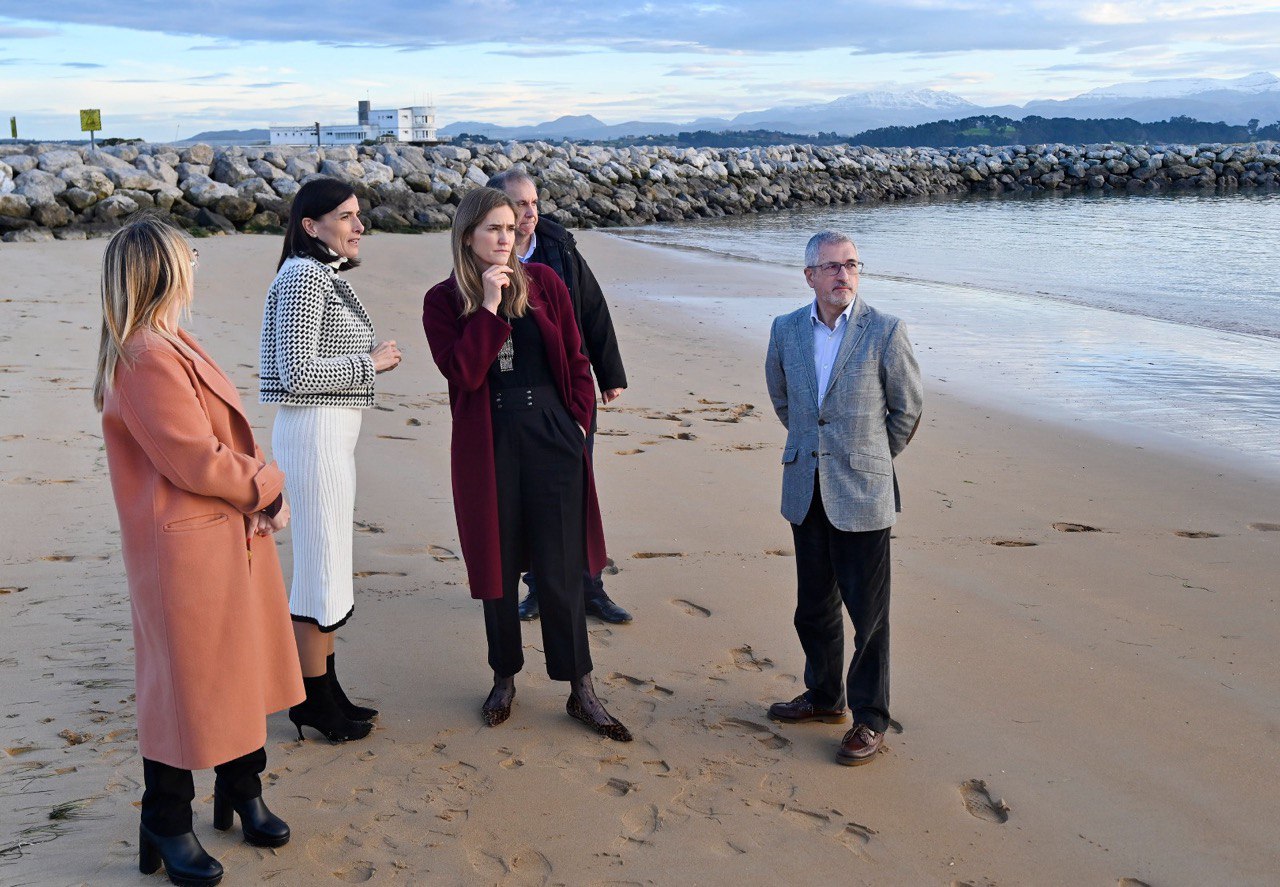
522,392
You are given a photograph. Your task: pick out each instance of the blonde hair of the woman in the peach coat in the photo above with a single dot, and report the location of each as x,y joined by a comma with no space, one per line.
147,272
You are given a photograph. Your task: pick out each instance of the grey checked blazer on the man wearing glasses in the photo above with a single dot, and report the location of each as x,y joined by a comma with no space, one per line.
871,410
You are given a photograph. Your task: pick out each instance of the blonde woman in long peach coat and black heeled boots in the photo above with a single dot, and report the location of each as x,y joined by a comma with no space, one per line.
198,506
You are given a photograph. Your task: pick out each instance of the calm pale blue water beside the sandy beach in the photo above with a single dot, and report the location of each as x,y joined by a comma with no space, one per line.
1142,314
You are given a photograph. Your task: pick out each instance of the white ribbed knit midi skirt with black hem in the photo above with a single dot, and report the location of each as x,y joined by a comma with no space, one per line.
317,450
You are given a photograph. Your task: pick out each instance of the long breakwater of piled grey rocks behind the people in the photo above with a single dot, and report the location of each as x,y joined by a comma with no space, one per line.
56,191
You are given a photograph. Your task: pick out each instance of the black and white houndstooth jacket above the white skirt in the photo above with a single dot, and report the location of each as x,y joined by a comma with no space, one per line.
317,339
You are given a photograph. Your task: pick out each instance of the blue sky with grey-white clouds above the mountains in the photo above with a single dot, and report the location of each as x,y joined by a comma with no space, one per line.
164,70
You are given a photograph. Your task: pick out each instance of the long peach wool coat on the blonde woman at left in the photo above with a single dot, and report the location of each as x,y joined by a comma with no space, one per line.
212,633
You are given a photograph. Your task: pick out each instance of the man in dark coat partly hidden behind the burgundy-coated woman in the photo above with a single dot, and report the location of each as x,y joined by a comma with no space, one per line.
550,244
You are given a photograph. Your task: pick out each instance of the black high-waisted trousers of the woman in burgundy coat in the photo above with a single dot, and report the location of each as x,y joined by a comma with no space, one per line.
538,454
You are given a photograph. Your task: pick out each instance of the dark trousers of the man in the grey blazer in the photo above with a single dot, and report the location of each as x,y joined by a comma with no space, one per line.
834,569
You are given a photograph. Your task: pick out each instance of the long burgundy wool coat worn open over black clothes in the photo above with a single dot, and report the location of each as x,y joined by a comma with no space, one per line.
465,349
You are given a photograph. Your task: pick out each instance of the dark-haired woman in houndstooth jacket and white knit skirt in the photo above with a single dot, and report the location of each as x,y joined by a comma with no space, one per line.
319,363
